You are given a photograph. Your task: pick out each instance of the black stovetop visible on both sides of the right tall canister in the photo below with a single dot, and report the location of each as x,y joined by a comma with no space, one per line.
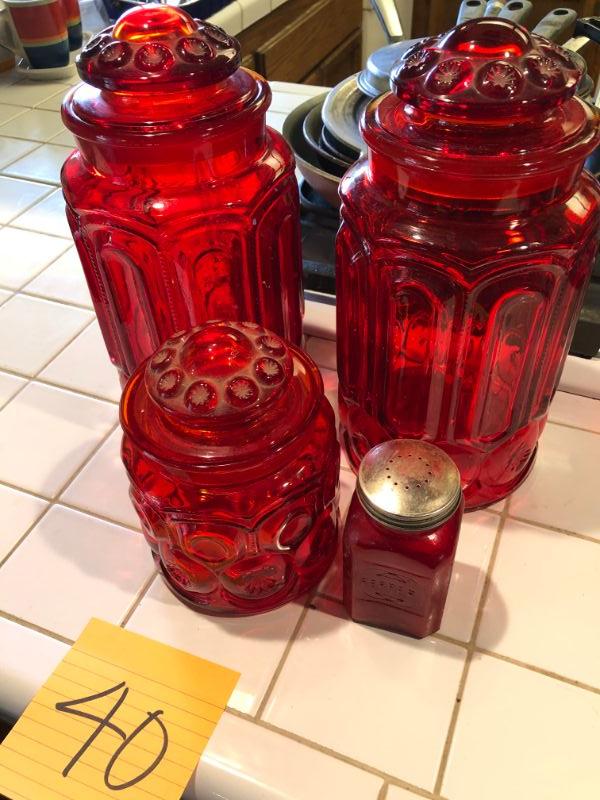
320,222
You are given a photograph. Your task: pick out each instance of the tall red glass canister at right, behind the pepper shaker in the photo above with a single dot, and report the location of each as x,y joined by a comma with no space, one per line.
468,237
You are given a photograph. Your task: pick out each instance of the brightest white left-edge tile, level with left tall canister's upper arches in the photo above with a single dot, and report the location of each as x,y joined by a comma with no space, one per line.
25,254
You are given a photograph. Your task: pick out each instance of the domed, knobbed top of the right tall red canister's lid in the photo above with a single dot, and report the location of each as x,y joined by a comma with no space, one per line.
484,67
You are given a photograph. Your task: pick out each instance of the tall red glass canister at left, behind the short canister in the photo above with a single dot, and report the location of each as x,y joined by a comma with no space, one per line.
183,204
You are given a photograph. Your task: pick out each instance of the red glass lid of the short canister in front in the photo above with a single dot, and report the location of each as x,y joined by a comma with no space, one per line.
221,390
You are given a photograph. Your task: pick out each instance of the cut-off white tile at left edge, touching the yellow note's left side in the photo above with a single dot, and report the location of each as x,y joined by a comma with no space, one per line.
26,659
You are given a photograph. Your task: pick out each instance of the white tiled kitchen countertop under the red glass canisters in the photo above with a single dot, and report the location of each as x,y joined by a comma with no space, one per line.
503,703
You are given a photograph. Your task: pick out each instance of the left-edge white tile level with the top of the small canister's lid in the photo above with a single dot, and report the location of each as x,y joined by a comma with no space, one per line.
34,330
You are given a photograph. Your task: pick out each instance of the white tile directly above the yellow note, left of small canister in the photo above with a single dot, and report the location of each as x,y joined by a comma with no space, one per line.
83,568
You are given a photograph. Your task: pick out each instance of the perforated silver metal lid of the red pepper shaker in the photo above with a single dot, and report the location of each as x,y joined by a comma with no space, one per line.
409,484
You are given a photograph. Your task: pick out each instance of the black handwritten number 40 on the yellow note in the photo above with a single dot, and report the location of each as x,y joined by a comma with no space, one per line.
153,718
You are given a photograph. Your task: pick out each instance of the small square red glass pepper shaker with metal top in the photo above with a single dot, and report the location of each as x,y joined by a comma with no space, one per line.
400,537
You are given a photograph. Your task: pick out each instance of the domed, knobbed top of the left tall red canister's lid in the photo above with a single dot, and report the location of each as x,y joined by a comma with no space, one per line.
158,45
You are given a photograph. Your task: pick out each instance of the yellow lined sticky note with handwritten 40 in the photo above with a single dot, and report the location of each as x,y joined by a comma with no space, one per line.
122,716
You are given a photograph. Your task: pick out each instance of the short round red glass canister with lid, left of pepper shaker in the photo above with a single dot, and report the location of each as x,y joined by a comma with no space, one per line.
231,450
